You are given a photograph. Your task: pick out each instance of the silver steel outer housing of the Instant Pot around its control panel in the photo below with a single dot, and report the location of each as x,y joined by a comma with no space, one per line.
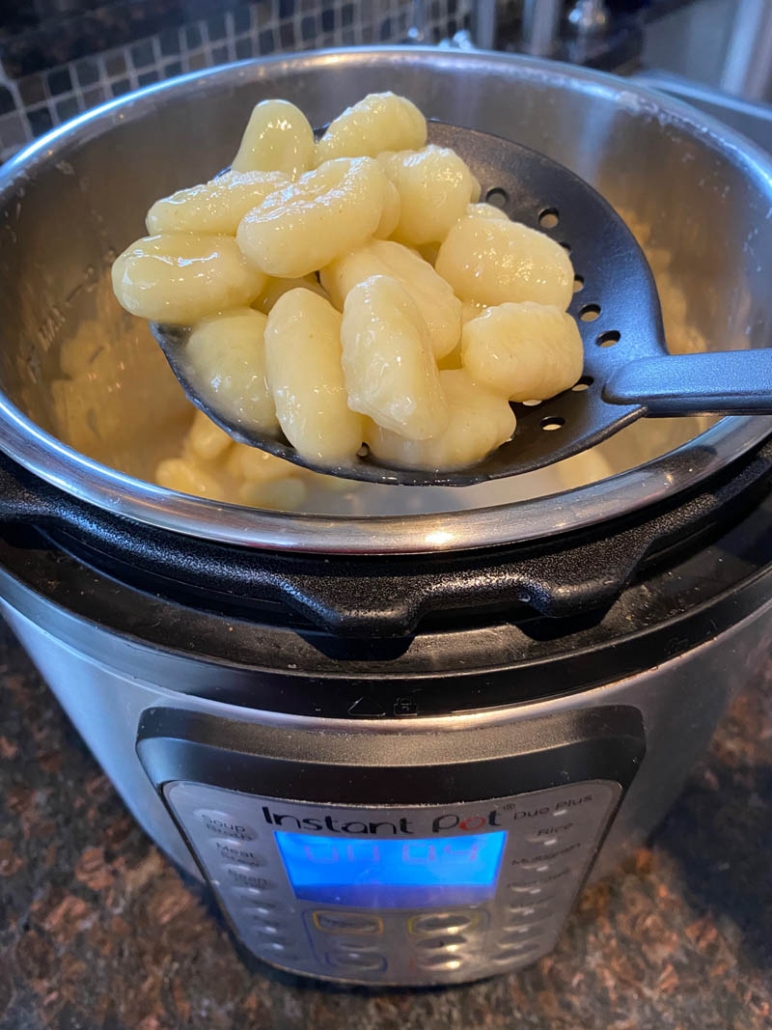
679,703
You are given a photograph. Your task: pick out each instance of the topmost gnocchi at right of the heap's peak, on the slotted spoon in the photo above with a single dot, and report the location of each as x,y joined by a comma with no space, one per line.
380,122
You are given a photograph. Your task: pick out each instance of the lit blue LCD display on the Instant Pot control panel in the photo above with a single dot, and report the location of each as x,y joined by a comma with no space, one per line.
393,874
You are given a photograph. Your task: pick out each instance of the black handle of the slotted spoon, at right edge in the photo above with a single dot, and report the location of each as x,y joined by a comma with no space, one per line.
738,383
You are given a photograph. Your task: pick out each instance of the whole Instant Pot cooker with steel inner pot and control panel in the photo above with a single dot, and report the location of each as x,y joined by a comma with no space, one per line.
398,736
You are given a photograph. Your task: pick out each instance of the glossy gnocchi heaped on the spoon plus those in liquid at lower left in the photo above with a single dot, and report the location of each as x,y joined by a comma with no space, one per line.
347,292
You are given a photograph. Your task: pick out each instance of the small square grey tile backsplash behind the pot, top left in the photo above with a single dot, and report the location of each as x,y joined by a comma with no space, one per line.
31,105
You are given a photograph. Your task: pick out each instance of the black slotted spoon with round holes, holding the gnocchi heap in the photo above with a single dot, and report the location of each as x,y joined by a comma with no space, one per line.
627,373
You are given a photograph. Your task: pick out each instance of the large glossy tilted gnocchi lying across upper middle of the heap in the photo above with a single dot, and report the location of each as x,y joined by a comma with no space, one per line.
306,226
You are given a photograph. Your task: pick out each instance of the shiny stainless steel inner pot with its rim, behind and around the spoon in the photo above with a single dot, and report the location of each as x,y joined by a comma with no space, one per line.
697,196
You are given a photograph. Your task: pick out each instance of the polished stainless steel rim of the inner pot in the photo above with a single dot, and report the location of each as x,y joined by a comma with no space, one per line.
522,521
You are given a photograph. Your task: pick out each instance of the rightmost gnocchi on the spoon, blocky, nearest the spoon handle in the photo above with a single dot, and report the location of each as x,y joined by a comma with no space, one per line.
525,352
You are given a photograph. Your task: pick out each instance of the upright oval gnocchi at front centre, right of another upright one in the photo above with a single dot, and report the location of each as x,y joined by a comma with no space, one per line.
391,371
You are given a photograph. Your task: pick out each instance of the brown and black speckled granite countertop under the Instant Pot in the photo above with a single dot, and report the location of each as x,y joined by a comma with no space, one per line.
98,931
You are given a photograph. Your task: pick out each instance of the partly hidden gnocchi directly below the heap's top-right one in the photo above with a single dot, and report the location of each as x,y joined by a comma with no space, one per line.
436,188
